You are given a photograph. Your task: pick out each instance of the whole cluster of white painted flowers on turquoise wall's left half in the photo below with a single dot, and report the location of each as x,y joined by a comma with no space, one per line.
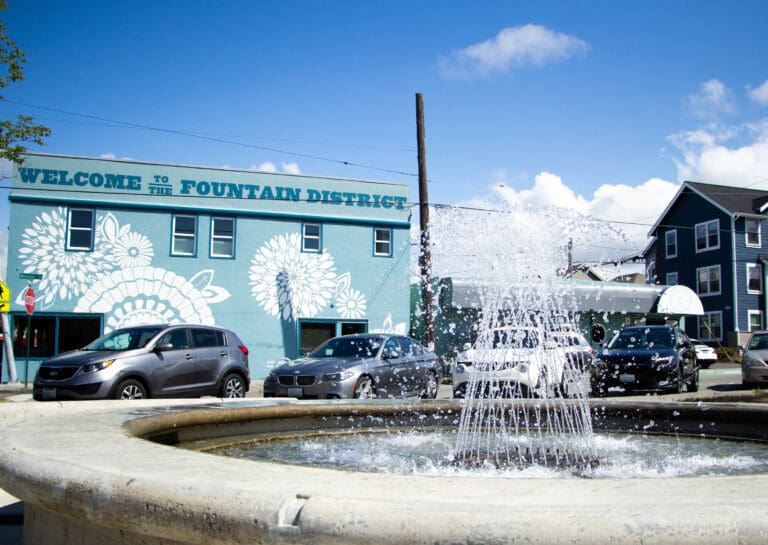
115,278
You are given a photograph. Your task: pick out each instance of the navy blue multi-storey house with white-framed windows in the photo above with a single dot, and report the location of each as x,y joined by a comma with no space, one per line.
709,238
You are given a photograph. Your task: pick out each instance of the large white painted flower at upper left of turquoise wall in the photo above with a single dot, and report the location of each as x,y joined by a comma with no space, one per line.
66,274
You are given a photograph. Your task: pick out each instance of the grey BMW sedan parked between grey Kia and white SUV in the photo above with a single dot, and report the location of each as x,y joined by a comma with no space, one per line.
363,365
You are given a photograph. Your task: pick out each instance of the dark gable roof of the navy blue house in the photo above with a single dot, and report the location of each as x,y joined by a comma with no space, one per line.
734,201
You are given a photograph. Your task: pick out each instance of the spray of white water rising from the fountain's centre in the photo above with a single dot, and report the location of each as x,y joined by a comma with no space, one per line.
526,403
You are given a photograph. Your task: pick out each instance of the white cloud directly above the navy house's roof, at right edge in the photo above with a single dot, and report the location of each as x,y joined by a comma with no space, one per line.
735,156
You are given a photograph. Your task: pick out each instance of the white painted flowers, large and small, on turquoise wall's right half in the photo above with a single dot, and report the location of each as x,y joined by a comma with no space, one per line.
289,283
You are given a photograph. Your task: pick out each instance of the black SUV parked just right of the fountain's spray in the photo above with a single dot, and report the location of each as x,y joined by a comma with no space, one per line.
656,357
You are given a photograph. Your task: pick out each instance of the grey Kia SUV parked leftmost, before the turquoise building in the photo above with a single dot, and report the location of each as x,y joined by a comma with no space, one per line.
149,361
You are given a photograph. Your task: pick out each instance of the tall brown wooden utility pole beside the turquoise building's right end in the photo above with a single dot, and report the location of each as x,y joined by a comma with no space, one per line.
425,256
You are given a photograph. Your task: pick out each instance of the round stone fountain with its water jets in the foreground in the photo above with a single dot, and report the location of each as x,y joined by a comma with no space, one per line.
113,472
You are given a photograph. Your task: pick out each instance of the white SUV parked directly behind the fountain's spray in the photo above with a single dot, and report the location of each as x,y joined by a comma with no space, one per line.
522,362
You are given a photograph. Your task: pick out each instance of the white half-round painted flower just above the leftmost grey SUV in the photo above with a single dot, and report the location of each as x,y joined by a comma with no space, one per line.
147,295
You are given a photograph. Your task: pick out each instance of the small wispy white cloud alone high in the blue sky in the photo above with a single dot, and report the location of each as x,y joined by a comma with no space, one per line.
515,46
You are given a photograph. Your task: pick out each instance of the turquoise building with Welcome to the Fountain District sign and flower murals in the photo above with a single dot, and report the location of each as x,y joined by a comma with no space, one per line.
286,261
